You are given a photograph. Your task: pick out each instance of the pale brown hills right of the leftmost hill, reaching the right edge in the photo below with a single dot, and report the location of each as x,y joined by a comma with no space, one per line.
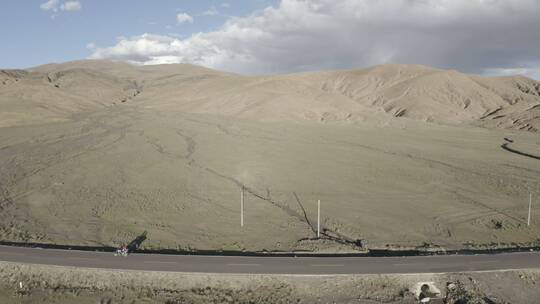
415,92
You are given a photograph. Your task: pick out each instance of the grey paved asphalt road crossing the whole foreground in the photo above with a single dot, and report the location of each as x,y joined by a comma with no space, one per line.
272,265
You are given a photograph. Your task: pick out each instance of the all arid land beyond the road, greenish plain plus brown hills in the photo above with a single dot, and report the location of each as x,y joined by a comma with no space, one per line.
96,152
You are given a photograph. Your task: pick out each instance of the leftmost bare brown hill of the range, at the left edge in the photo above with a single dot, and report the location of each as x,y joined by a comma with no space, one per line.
28,97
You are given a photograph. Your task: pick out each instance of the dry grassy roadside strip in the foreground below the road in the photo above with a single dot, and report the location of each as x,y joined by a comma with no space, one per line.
25,283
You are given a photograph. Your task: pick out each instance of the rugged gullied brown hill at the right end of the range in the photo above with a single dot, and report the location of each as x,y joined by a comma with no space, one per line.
440,96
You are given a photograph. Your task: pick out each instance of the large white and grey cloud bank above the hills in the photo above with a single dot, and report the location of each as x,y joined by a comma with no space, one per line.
298,35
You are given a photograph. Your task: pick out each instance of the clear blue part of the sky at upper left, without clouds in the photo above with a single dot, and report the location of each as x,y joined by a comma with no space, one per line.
32,36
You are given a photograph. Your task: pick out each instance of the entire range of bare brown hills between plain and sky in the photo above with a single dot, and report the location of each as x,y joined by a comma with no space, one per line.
56,91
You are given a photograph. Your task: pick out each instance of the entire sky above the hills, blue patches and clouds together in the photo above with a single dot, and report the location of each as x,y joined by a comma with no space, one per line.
488,37
